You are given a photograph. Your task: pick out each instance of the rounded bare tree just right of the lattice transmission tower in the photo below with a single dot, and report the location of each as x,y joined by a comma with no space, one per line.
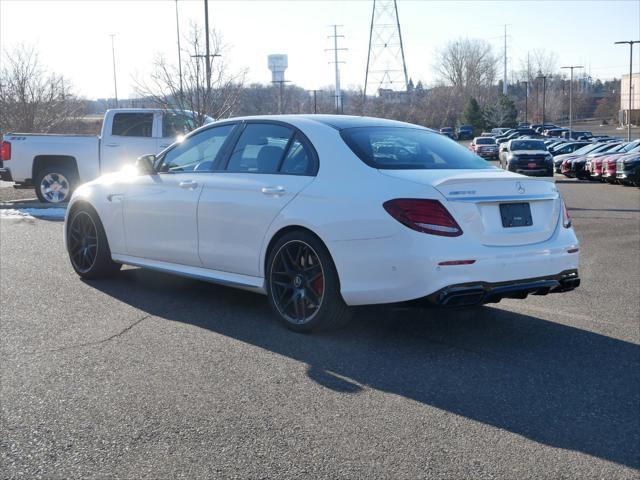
467,65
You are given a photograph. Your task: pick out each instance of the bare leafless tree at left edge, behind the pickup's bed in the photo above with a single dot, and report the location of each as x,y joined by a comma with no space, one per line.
33,99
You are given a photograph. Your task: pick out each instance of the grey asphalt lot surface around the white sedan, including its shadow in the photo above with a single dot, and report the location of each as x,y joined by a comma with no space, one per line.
151,376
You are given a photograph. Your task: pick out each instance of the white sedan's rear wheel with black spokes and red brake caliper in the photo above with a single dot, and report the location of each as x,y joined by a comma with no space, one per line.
303,285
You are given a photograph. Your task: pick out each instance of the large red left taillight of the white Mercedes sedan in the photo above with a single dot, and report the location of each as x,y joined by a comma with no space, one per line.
426,216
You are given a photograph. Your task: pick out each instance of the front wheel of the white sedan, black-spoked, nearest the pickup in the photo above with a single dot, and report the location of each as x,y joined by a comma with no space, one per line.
87,245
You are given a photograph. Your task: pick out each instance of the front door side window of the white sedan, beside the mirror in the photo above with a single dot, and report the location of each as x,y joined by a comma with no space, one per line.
197,153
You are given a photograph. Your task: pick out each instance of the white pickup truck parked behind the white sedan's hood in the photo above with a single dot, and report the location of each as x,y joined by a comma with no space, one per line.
56,164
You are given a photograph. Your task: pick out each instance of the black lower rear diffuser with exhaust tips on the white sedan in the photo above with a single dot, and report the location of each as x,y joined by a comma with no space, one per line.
470,294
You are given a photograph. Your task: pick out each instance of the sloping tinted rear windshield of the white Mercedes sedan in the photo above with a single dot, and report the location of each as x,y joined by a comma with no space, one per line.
405,148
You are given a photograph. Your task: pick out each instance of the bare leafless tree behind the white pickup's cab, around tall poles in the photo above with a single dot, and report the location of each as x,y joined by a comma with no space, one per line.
163,87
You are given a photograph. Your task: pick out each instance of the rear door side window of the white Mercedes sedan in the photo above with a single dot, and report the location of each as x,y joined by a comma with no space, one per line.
260,148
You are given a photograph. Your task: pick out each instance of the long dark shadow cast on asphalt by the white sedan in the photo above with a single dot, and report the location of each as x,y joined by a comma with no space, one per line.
557,385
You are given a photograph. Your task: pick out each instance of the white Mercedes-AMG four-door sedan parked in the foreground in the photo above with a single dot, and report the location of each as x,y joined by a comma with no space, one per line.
323,212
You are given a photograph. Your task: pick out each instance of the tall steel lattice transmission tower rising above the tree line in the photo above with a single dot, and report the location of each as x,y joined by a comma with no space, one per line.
386,68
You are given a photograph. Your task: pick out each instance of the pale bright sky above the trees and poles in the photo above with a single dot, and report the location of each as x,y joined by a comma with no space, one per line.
73,36
